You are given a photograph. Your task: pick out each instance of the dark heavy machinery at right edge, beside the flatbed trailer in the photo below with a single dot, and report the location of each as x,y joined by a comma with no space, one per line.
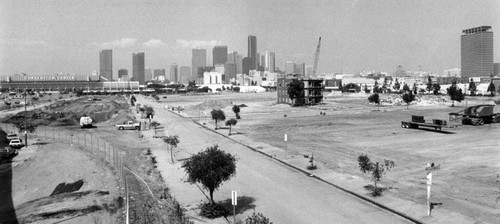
476,115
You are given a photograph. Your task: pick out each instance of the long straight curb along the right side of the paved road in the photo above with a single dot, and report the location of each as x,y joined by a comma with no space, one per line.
309,174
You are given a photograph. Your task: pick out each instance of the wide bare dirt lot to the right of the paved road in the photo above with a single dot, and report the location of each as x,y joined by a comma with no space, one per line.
468,155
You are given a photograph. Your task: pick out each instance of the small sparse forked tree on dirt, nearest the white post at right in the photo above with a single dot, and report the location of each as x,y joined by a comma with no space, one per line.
377,169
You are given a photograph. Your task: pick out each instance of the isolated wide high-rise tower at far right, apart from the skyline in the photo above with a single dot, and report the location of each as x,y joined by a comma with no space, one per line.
477,52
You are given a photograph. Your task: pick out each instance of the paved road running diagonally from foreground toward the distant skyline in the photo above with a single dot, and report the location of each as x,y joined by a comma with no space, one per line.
281,193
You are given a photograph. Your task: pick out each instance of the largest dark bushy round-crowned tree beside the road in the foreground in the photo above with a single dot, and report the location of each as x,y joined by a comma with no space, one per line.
210,167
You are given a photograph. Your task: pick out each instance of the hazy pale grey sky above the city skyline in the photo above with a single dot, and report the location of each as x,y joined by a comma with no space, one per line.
49,36
